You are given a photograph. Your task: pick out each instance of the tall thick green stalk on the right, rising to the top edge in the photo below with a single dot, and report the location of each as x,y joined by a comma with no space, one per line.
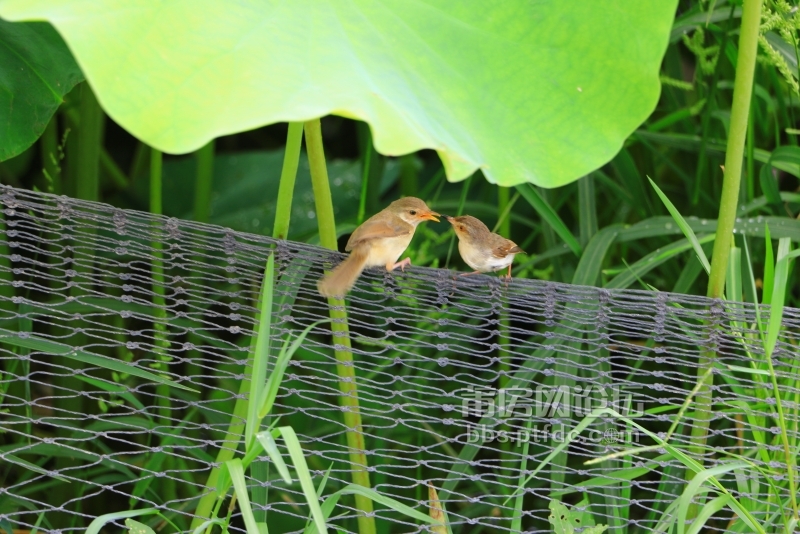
731,182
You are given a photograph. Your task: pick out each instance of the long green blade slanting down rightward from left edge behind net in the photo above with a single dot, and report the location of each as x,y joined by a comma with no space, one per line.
60,349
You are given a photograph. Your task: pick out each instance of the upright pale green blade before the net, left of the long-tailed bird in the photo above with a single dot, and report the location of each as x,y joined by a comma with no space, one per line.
261,357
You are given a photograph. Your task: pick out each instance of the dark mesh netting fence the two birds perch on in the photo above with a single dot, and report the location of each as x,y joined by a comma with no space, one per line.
467,384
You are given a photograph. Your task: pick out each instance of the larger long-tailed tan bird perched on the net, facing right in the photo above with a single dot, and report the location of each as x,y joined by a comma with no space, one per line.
379,241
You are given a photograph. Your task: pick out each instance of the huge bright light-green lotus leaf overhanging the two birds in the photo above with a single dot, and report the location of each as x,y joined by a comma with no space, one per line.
540,91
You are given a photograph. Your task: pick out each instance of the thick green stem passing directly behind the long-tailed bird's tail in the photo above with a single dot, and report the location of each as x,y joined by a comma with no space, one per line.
341,334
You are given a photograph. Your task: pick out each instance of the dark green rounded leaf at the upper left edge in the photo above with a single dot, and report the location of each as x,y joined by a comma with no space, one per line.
36,71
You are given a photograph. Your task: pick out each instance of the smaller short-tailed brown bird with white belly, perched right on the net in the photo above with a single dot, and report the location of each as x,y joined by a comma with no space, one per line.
481,249
